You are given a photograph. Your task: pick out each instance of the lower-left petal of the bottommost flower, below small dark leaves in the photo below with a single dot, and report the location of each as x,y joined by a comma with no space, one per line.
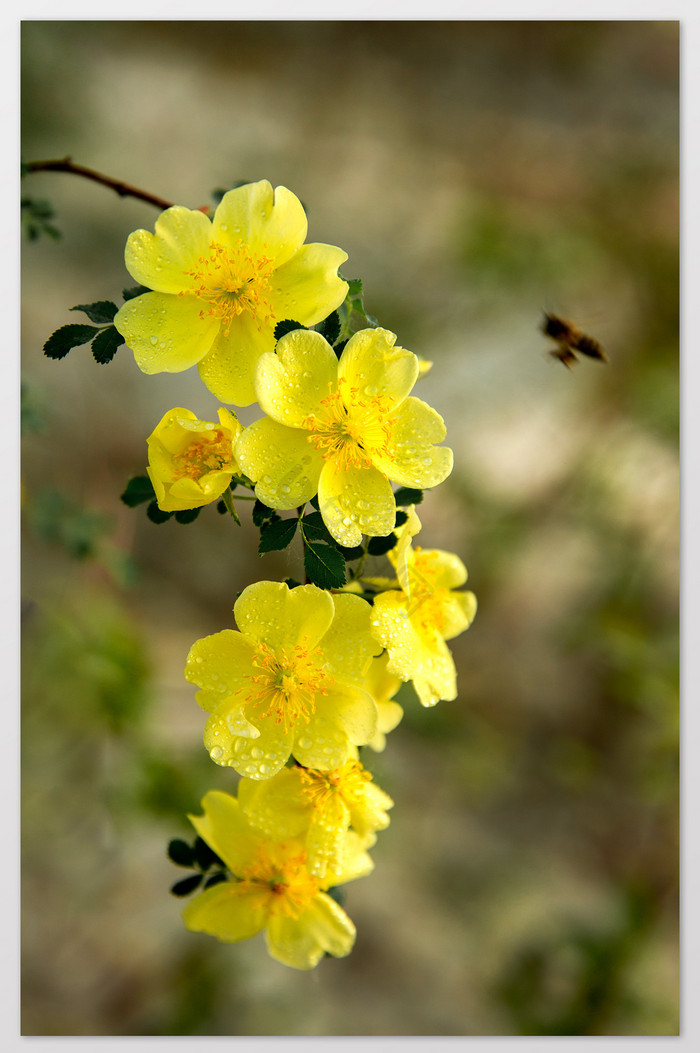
228,912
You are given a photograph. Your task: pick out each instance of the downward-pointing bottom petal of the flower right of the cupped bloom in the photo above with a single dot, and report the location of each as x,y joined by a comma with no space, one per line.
354,502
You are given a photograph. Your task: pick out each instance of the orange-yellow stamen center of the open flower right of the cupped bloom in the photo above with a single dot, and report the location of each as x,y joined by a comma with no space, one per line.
352,426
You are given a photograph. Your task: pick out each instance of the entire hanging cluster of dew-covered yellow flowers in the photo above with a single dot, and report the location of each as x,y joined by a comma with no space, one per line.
310,674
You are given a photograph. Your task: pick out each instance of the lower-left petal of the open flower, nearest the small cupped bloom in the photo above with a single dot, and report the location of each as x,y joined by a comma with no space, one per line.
285,467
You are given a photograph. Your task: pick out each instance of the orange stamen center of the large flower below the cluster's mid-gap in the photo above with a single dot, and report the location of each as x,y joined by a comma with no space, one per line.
287,684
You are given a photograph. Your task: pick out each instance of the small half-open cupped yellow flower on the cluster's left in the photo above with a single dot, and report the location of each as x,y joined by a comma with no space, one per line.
191,462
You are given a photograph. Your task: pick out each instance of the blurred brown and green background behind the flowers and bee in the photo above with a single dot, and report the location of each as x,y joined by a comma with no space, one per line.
477,174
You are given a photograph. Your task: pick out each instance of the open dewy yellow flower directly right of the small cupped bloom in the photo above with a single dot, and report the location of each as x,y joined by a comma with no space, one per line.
343,429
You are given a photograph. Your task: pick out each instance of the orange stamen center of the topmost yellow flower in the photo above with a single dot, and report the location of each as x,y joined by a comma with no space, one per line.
231,282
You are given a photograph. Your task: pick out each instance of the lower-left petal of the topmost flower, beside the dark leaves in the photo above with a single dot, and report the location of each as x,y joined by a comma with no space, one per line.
166,333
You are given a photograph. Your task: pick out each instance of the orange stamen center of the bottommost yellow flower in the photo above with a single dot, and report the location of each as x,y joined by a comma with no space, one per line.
284,883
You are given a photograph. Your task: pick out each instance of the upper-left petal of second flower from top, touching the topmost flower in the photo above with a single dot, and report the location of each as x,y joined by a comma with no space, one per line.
292,383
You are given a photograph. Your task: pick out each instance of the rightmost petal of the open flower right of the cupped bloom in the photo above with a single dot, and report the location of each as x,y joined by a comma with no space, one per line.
411,458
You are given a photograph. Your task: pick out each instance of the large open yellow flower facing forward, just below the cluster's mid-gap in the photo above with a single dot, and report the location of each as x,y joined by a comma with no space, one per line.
289,682
